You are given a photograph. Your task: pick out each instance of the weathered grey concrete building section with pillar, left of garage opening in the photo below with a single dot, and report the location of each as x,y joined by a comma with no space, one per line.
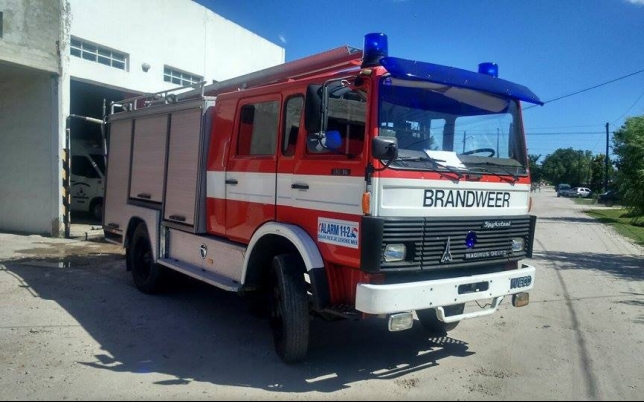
32,95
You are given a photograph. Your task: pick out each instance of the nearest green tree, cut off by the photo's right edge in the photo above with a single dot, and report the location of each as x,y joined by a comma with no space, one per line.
628,145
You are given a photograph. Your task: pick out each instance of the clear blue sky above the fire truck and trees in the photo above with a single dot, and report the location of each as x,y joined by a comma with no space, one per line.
554,47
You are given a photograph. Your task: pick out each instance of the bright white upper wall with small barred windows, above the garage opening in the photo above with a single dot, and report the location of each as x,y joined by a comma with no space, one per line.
181,34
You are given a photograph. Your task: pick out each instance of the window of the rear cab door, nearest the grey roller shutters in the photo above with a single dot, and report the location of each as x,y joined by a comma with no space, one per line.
258,129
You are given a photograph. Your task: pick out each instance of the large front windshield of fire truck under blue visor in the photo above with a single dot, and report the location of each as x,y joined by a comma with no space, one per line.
451,127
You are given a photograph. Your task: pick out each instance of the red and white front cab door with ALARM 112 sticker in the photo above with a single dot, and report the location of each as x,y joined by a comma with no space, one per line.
323,184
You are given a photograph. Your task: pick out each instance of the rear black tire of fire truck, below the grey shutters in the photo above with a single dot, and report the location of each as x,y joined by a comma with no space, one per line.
147,275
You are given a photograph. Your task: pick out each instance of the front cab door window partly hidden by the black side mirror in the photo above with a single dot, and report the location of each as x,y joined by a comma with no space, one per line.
347,116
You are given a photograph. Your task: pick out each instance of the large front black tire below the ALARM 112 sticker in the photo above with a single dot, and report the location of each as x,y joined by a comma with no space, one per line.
289,309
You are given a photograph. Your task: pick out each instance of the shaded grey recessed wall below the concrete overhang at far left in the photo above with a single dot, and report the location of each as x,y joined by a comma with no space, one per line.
28,153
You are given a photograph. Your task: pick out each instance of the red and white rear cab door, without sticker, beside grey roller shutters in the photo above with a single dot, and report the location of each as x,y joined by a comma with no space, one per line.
251,173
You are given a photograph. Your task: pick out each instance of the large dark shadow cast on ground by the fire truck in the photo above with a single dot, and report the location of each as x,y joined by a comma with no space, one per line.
195,332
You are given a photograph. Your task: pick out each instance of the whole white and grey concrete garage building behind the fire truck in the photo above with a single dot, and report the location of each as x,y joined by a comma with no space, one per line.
62,57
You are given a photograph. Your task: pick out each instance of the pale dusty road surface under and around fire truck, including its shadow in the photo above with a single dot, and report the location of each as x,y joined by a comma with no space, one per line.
80,330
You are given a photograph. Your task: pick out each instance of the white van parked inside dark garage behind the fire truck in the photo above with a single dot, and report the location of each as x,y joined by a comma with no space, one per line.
87,178
